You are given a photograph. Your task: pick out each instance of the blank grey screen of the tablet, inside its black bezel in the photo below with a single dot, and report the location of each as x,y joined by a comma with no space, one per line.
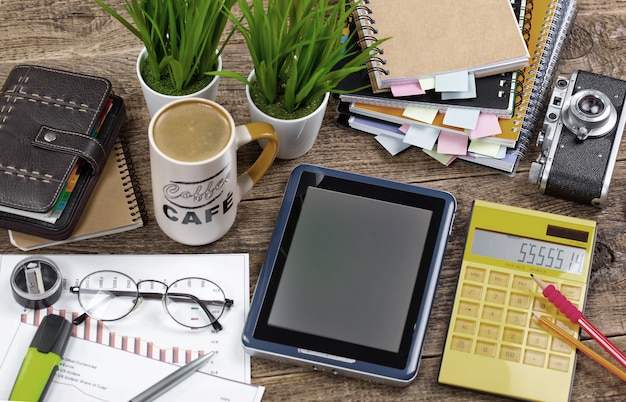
351,269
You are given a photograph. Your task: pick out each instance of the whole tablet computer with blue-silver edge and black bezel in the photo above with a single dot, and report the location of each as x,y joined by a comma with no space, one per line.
350,274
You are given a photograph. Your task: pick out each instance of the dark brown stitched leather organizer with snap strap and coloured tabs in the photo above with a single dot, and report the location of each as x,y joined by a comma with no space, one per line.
57,129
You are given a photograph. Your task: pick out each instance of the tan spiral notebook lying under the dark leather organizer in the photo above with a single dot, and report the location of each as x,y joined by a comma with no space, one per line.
114,206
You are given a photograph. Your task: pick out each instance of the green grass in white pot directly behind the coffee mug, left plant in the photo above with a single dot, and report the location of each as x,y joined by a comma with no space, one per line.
181,41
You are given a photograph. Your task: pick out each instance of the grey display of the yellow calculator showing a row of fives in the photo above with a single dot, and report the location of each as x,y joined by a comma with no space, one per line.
528,251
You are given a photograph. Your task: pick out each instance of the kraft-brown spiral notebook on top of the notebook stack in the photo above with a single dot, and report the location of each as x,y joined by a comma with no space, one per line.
430,38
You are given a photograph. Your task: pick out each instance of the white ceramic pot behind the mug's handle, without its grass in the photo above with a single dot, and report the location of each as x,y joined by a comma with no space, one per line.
295,137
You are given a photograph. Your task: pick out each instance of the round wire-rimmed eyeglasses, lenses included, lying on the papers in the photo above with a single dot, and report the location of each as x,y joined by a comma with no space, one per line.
110,295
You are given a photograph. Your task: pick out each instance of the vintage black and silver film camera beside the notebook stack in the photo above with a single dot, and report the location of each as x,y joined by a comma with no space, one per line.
580,138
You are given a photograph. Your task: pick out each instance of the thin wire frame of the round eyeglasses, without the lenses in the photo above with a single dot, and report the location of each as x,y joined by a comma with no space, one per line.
228,303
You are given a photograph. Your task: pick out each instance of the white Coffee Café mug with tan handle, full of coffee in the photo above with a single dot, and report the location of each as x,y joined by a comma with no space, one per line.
193,163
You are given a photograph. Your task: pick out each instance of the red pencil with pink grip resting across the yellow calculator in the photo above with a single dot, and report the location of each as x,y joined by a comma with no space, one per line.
576,317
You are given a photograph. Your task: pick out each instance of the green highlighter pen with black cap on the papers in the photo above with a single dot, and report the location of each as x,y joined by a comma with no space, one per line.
42,359
